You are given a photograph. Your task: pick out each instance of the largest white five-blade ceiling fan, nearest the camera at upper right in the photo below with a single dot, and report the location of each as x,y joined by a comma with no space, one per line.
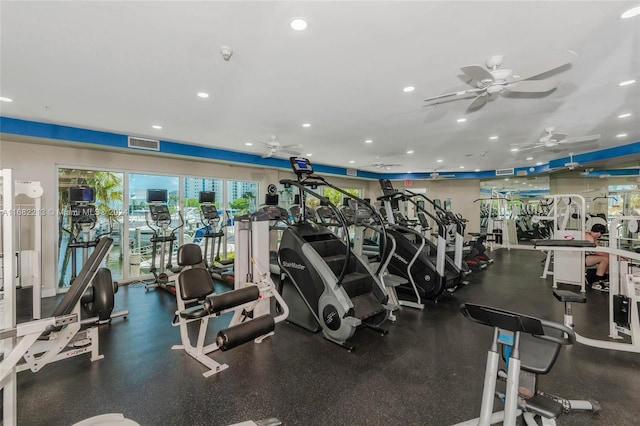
492,79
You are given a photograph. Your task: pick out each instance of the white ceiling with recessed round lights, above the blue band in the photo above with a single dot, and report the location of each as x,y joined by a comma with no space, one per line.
125,66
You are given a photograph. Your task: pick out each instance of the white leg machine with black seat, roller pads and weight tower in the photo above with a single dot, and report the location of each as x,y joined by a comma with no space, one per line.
250,301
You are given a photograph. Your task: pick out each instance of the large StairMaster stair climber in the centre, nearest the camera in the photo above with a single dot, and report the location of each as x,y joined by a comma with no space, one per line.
325,285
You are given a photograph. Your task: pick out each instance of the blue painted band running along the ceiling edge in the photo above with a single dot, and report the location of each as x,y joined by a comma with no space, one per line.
35,129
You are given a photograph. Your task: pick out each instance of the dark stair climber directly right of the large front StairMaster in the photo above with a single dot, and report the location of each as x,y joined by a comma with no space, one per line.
426,265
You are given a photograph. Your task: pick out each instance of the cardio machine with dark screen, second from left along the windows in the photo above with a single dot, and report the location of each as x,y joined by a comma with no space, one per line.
162,234
